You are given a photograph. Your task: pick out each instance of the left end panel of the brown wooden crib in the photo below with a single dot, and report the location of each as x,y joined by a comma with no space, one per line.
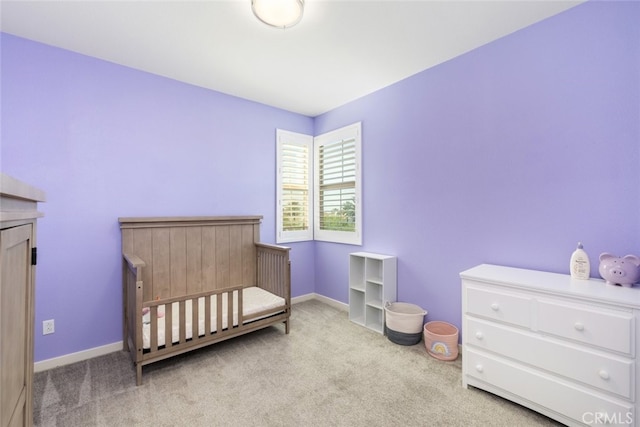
132,300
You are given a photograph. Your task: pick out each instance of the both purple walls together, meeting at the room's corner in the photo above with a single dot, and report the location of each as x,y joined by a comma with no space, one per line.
509,154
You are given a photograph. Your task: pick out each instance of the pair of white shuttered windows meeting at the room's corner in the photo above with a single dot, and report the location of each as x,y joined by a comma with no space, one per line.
323,173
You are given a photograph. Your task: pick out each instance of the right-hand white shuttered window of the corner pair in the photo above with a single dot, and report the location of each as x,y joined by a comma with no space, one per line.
337,190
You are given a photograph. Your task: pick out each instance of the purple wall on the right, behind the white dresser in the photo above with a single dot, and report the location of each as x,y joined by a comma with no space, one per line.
510,155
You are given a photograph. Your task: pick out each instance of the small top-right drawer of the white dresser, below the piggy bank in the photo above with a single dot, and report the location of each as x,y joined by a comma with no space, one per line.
594,325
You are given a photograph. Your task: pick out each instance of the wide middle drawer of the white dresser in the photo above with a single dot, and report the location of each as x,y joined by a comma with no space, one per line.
605,372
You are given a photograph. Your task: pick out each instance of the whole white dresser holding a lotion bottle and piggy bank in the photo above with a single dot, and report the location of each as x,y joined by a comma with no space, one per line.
566,348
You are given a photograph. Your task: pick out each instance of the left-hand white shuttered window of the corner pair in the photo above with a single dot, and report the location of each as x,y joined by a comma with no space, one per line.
294,186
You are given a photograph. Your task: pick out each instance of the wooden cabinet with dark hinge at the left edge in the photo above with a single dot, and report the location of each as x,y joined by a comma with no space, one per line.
18,214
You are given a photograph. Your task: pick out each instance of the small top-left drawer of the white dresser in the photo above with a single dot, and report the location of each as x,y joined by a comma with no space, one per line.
498,305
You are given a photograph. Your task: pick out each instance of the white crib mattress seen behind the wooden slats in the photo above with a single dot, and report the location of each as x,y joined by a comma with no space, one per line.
254,300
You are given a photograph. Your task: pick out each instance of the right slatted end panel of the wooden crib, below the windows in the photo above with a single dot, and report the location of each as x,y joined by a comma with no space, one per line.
274,270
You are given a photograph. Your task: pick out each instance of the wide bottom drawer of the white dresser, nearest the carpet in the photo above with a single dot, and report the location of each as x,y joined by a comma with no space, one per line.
541,389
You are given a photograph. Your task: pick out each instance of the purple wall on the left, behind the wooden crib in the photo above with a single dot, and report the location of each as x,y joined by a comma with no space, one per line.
106,141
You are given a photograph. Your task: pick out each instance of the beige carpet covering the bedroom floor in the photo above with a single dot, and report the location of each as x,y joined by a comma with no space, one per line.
326,372
